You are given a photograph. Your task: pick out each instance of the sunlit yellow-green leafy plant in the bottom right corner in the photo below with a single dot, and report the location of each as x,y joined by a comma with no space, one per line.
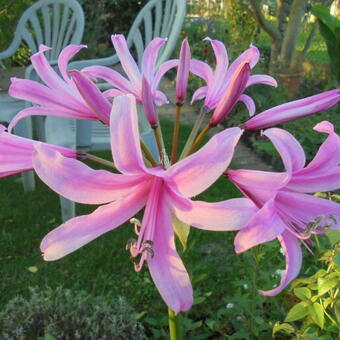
318,302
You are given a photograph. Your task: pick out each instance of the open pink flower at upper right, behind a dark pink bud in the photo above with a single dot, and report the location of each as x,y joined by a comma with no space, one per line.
219,80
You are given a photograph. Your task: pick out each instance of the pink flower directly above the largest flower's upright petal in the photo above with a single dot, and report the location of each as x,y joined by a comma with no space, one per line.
134,84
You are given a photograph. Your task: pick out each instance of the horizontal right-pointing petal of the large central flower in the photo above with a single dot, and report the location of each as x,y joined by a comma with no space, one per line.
227,215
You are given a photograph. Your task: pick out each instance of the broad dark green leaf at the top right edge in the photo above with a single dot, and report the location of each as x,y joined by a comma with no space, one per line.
330,30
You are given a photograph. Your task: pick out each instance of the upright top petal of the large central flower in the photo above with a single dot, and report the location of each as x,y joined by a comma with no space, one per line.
125,134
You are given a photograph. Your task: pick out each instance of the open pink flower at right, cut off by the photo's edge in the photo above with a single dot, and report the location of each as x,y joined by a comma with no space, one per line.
285,210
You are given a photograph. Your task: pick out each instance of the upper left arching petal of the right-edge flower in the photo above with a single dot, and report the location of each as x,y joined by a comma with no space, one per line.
289,148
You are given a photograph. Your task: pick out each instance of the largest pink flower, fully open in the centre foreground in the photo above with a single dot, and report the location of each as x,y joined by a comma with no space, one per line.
161,192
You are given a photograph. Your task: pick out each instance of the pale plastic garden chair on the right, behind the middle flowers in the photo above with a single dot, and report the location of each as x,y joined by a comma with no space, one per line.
158,18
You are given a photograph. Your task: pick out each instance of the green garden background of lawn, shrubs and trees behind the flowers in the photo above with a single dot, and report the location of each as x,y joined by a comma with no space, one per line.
302,53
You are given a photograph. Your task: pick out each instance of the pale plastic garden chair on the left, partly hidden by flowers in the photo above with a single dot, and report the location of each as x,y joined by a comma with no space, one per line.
55,23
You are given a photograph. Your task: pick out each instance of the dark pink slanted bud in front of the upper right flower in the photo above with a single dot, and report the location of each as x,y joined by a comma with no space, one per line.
232,94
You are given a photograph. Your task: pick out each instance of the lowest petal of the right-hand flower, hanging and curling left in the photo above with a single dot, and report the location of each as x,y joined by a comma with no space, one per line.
293,256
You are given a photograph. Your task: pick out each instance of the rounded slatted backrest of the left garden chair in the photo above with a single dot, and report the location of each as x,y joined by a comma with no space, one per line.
55,23
